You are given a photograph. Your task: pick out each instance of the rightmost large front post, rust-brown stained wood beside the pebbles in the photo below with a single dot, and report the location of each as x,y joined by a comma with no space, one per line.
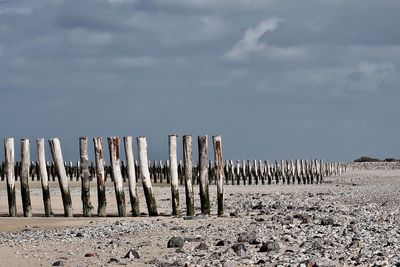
217,143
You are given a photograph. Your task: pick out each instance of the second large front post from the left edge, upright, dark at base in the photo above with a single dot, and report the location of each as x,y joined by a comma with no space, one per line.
25,166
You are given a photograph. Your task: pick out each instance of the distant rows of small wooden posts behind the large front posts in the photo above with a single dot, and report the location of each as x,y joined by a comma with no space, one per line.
236,171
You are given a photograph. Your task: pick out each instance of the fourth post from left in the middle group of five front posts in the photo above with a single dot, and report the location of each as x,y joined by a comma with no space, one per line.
131,173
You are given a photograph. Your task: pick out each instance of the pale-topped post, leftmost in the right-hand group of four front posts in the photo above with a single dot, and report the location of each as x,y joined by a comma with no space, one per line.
173,172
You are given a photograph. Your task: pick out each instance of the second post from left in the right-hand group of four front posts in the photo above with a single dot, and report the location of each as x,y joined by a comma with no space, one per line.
188,170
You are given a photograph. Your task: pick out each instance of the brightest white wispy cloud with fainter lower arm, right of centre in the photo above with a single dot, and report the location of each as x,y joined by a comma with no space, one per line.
250,44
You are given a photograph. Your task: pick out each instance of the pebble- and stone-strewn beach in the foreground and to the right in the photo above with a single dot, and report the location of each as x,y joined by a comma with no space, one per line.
347,221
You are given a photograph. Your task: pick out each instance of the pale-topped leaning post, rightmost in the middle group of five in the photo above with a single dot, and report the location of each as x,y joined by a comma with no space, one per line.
145,175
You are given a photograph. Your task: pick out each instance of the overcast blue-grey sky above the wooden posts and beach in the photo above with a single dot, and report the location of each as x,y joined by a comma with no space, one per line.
277,79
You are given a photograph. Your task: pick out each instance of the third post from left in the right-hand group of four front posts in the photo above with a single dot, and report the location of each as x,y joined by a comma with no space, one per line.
203,174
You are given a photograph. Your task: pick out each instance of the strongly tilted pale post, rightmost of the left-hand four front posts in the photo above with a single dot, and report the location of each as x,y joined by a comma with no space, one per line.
55,148
